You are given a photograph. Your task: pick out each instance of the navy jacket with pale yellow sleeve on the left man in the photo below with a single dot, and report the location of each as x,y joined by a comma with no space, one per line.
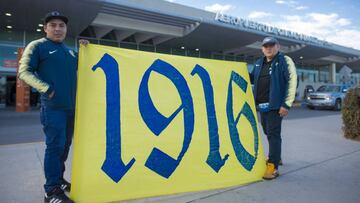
50,66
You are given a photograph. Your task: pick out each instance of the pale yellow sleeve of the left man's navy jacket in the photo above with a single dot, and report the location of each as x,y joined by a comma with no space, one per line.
28,76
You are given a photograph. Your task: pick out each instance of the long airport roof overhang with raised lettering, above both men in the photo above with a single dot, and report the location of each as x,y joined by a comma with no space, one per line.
162,23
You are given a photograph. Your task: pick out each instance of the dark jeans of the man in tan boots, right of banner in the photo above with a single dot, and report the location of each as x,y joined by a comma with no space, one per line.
271,123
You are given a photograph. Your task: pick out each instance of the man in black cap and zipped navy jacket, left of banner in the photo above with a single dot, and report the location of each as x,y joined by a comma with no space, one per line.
50,67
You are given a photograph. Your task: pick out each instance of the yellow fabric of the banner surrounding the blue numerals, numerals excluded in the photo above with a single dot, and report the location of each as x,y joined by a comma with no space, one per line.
91,184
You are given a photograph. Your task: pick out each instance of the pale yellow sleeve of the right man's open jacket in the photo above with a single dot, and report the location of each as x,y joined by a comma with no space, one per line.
292,82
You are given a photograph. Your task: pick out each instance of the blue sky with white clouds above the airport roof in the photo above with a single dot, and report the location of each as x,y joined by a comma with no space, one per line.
336,21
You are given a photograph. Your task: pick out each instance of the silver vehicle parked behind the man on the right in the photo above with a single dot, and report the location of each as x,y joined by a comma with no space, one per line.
329,96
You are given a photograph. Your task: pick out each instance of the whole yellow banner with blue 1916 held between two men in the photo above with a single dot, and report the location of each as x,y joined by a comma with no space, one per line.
150,124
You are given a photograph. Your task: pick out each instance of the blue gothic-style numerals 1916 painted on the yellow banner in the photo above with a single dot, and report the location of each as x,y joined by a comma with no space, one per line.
158,161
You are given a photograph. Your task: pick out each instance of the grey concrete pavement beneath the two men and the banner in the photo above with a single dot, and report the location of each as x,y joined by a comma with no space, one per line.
319,166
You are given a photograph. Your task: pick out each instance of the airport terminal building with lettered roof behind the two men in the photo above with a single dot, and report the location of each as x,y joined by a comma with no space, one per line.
170,28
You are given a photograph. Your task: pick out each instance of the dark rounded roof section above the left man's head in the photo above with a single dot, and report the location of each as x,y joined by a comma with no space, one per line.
26,15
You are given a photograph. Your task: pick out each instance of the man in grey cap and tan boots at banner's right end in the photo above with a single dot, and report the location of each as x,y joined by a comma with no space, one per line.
274,78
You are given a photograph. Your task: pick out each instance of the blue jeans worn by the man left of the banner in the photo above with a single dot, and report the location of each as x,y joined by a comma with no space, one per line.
58,126
